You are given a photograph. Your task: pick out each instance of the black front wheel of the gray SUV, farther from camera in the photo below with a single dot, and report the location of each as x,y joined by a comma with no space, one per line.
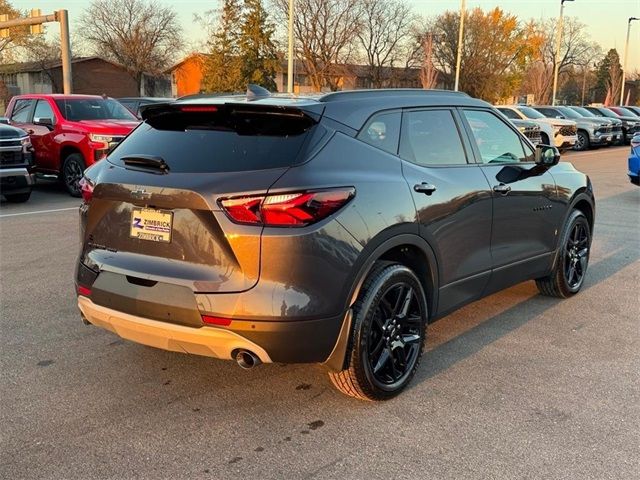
572,259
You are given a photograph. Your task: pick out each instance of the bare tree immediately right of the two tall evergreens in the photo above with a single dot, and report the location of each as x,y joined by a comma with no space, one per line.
326,35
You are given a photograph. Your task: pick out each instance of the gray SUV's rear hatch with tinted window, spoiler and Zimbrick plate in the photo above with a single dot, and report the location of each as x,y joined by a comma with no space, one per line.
154,214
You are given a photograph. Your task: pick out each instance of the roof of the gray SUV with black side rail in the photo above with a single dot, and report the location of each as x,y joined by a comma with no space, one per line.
351,108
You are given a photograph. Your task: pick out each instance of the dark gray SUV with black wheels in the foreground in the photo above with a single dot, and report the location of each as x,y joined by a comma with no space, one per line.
328,229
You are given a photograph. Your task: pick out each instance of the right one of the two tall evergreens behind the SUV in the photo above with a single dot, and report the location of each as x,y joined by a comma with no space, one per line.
257,50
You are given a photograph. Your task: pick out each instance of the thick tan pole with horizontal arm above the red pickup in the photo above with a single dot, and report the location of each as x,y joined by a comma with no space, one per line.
35,21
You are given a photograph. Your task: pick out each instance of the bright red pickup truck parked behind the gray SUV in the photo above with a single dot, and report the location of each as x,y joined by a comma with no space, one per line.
70,132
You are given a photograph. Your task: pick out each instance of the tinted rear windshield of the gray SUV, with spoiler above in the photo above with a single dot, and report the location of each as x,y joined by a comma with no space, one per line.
228,140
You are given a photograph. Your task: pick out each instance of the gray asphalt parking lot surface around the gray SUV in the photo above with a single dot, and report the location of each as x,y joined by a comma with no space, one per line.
514,386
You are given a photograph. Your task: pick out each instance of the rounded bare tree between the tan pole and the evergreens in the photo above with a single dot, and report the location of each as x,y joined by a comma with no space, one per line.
141,35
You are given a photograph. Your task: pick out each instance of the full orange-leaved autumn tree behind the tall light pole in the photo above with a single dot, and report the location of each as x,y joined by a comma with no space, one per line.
495,49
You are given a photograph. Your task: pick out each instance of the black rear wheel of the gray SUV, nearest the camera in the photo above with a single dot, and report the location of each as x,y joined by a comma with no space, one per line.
389,329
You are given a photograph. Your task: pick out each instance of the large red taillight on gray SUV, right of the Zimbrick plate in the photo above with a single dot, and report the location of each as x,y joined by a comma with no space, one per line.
296,209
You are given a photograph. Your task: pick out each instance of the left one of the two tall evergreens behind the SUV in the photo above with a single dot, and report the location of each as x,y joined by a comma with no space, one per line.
222,67
